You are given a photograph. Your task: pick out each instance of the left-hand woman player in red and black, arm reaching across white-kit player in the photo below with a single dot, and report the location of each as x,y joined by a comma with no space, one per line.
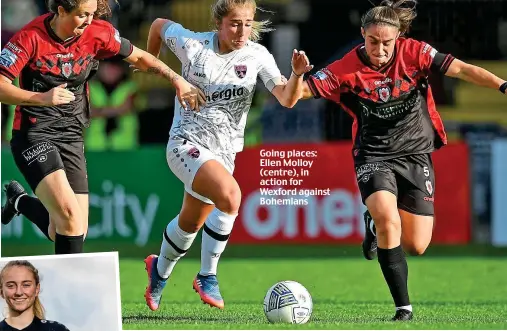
54,57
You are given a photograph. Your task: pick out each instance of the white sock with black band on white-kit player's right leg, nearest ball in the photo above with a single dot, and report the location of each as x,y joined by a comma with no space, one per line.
215,236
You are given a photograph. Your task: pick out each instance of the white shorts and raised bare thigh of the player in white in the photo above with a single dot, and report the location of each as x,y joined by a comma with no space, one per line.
206,176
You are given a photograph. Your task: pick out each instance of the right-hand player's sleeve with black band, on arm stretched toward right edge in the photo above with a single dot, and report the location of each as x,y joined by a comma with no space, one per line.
431,60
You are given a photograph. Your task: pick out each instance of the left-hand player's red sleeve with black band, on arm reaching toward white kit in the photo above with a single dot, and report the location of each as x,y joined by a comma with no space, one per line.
112,44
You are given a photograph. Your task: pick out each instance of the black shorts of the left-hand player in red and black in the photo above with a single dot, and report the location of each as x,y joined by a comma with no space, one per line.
37,158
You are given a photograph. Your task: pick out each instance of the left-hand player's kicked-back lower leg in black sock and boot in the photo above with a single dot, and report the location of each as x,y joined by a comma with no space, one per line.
19,202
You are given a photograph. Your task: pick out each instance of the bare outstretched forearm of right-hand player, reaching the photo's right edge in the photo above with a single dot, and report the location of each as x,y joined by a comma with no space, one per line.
474,74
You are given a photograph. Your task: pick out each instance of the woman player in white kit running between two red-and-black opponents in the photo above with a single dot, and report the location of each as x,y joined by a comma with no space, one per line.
225,65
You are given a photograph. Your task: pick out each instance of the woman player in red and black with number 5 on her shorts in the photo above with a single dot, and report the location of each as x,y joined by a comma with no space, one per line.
383,85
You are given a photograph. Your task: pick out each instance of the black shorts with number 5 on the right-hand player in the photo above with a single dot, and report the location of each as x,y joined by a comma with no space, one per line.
411,178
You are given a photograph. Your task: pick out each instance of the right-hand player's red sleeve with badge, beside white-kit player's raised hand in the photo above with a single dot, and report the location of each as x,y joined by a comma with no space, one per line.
325,83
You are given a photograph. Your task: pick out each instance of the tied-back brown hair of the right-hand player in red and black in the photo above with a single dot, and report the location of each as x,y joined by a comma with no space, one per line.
397,13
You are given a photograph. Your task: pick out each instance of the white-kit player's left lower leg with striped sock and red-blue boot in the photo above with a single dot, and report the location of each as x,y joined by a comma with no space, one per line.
175,244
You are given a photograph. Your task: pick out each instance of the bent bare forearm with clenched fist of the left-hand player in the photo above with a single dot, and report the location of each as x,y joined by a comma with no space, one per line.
13,95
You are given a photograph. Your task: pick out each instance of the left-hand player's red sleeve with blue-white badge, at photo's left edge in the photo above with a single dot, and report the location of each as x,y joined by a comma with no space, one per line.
16,54
